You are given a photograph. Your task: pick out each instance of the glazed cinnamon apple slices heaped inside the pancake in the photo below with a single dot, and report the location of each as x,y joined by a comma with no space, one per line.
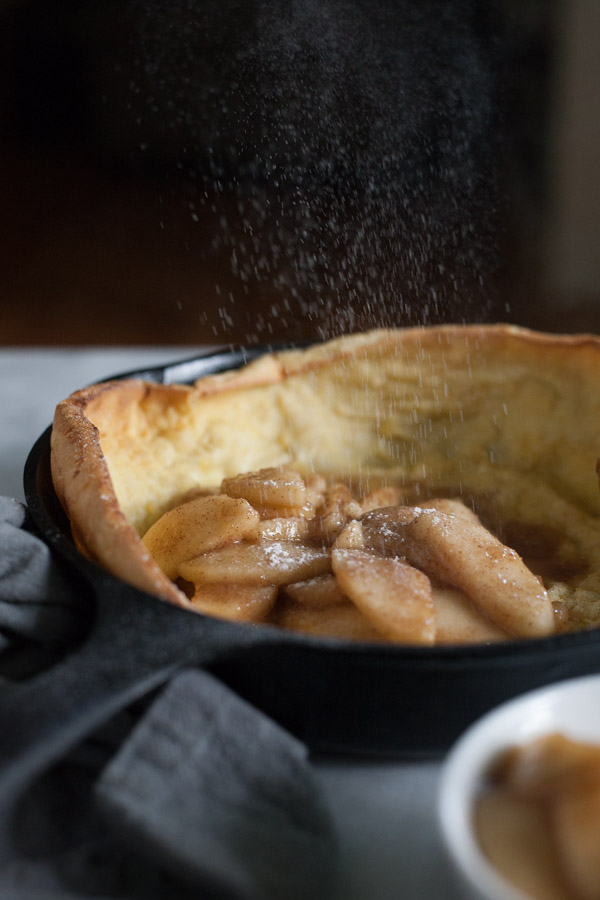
273,547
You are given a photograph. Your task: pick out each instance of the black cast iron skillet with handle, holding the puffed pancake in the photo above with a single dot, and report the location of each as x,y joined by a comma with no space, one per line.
339,697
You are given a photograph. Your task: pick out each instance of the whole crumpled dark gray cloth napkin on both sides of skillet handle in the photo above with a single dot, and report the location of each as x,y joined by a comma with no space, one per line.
192,792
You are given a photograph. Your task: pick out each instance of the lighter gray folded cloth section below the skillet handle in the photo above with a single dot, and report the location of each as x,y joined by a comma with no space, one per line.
223,792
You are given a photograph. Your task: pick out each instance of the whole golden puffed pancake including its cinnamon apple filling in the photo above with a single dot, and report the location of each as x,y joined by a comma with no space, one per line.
431,485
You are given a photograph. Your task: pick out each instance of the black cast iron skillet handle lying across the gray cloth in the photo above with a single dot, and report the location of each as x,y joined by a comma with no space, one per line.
134,645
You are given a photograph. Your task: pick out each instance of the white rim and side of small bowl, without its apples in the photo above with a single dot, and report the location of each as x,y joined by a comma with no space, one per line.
572,707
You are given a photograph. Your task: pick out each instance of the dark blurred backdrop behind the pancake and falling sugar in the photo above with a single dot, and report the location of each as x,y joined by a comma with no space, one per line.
186,172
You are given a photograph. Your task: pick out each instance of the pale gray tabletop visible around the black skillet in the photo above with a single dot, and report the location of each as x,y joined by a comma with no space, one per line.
385,812
